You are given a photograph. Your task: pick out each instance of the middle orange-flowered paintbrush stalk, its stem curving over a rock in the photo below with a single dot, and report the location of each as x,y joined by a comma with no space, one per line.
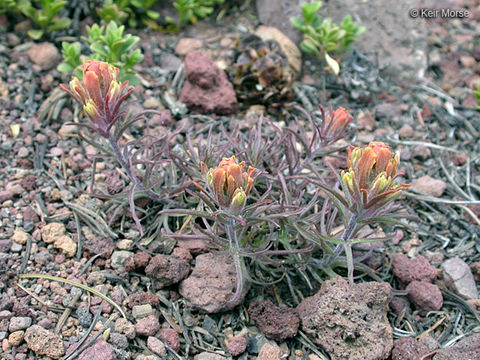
239,220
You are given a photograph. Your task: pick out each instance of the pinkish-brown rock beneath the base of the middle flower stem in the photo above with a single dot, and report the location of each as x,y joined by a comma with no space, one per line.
212,284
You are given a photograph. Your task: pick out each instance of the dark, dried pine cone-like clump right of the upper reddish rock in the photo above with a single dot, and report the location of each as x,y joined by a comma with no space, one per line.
261,72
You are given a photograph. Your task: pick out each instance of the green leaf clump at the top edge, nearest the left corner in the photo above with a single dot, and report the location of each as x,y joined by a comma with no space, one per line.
45,17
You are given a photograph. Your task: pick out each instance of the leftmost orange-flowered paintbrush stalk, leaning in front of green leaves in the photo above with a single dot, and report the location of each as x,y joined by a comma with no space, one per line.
102,96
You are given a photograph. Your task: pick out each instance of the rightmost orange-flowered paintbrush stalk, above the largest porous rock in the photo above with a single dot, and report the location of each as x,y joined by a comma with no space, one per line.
368,190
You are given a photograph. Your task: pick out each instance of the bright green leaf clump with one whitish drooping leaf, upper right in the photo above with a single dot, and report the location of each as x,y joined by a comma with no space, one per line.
322,37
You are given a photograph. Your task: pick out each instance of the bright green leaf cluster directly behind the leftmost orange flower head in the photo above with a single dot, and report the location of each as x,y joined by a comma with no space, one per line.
109,44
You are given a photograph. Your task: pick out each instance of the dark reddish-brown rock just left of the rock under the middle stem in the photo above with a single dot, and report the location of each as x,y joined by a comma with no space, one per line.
167,269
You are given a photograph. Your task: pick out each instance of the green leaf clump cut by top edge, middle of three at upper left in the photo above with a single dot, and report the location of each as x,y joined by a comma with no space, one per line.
132,11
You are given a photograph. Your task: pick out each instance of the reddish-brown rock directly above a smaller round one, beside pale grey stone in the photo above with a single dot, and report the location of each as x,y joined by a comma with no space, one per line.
407,270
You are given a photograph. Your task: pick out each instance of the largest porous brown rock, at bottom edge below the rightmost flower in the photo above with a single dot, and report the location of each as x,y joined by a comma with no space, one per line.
349,322
